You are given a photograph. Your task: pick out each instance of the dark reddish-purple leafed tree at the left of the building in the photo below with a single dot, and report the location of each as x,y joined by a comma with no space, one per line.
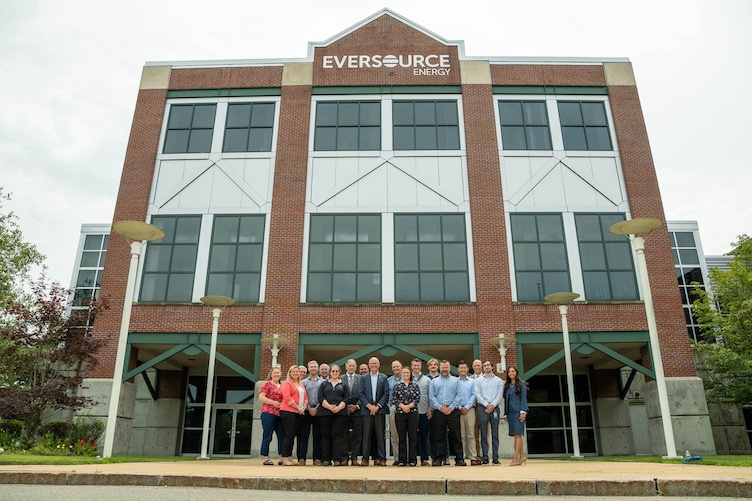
43,352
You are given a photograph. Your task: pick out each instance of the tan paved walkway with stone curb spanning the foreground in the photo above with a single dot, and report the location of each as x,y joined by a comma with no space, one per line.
541,477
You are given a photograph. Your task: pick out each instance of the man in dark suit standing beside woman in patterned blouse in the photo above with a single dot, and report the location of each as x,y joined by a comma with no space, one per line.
374,394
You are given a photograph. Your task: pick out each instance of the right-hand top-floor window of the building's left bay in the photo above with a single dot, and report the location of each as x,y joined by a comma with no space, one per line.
249,127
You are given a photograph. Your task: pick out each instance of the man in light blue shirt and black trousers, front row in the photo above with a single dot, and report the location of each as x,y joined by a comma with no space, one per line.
445,395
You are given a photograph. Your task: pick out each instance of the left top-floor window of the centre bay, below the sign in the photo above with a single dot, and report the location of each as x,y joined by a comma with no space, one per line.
347,126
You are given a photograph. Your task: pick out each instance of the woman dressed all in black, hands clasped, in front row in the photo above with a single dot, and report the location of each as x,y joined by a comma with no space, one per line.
333,418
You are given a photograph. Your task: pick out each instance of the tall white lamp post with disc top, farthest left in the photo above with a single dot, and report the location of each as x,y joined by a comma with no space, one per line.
137,233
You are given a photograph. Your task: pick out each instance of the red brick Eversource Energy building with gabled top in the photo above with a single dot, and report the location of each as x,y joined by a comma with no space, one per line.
391,196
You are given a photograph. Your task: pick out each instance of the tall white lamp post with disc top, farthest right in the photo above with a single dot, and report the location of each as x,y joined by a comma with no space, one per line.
636,227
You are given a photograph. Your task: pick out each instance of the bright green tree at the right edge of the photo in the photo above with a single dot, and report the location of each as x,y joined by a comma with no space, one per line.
725,312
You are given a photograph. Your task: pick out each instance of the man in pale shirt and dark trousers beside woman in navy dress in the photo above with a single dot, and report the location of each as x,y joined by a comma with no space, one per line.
489,390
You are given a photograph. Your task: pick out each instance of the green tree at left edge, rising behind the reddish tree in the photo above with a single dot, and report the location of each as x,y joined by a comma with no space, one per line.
16,255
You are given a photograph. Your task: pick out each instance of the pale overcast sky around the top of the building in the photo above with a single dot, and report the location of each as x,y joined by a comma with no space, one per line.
69,75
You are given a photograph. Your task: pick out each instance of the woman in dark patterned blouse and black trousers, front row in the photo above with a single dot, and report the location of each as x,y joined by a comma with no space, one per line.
406,396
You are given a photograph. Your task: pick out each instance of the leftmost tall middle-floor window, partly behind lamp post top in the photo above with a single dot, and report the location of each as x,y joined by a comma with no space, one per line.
170,263
